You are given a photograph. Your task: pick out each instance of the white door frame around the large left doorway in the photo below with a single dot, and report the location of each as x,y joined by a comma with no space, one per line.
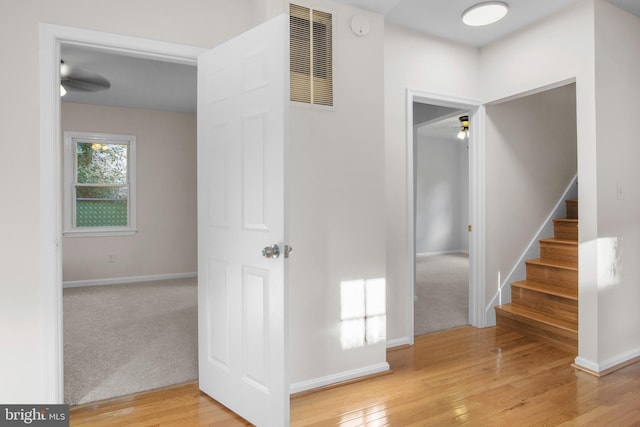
50,278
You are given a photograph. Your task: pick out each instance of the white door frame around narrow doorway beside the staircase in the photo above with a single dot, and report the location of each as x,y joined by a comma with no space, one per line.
477,310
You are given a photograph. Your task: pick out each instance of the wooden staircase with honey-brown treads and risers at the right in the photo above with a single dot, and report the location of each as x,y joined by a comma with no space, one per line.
544,306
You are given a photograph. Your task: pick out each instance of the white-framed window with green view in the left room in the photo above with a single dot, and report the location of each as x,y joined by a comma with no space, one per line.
99,190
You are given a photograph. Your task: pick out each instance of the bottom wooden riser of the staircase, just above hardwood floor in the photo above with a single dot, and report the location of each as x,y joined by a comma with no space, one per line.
561,338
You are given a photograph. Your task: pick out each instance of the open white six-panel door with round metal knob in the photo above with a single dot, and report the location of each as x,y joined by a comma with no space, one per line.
243,99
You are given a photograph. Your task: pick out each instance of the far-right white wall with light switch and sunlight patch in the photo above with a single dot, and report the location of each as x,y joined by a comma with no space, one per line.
618,151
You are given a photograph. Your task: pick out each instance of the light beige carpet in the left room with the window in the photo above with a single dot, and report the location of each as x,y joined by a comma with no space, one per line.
123,339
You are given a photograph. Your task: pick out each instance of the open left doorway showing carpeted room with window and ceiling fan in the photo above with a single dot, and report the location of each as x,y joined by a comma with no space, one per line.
130,305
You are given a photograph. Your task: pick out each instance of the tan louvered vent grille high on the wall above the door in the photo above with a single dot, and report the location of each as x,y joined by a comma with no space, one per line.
311,65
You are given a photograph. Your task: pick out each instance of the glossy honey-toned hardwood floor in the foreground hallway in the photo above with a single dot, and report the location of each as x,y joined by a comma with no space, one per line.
464,376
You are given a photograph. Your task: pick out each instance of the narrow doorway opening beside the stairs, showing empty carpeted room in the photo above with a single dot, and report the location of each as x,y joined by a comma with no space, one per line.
442,218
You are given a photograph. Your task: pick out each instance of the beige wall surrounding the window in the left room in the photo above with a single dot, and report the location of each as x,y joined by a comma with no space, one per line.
165,243
